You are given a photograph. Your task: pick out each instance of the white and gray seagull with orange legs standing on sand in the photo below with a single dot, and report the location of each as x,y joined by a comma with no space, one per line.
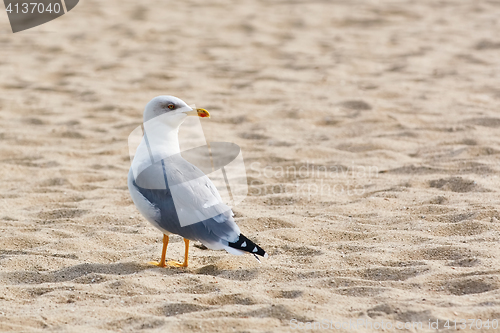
174,195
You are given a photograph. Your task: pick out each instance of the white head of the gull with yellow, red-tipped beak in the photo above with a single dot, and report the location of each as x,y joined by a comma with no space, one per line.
172,109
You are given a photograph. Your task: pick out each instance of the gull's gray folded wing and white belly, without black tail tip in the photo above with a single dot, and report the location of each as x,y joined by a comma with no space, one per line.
180,199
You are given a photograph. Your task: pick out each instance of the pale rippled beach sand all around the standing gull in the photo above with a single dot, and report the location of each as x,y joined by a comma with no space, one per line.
370,135
